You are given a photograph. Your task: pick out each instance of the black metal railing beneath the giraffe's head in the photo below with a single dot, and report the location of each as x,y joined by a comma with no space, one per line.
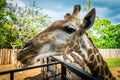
64,67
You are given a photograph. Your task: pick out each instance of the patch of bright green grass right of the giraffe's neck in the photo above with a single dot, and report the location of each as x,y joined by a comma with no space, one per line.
113,62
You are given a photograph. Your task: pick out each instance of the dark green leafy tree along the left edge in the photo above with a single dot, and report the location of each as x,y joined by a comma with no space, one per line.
7,32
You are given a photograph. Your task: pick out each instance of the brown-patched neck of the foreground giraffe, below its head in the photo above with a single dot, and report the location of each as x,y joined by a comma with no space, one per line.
93,59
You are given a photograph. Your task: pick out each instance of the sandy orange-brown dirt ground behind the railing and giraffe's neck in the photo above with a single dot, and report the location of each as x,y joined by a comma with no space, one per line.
34,74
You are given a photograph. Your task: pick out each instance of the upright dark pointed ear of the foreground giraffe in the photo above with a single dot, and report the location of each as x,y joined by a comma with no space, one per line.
89,19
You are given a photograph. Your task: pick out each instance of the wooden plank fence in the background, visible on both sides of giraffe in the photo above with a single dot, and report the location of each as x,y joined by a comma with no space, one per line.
8,56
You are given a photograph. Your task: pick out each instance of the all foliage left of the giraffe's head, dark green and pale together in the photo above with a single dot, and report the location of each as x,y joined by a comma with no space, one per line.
18,25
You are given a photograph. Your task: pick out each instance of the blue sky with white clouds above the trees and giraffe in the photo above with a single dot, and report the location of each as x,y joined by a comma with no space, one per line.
56,9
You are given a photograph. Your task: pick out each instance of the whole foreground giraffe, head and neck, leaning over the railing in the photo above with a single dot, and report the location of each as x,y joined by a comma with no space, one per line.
66,36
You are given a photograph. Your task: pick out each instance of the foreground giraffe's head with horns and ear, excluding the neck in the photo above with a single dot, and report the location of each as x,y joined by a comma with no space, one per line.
55,38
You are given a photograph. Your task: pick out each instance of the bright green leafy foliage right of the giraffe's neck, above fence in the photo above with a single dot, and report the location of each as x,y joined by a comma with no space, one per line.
105,34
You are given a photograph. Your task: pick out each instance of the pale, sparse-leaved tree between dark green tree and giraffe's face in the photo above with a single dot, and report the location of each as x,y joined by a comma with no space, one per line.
30,21
